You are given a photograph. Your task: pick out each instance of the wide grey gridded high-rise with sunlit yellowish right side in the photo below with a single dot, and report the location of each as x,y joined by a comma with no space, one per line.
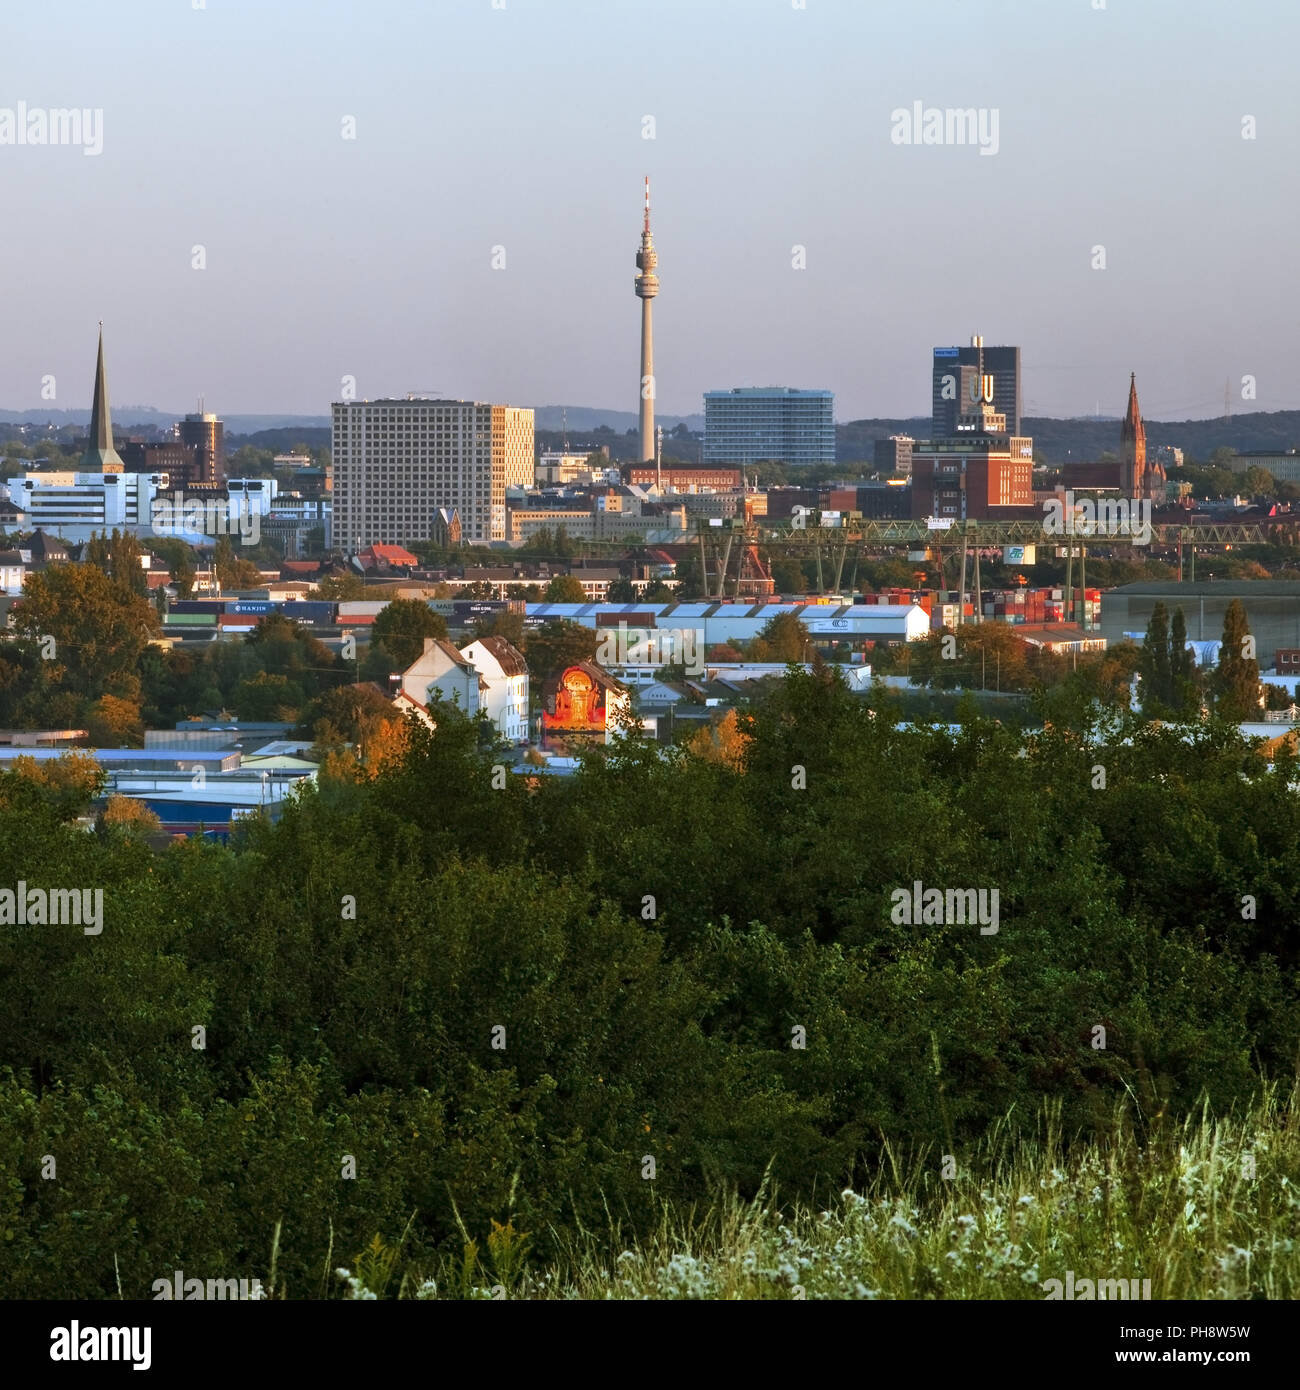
398,462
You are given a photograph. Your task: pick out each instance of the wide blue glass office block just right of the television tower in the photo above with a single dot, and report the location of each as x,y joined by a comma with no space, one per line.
781,425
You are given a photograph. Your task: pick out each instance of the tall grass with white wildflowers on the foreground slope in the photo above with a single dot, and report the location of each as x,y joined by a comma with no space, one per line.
1208,1210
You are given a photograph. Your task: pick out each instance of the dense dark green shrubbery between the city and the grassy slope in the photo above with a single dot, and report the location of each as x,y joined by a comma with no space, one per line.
649,935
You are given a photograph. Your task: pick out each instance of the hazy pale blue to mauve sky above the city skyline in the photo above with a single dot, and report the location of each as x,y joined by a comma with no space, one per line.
522,127
